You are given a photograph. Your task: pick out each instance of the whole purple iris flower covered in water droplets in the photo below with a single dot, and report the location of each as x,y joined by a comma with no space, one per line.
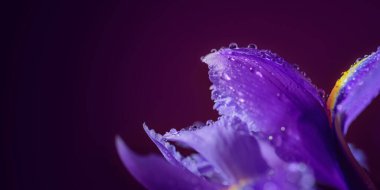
275,129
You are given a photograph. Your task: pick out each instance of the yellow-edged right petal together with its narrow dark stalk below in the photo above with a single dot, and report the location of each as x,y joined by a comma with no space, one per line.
349,97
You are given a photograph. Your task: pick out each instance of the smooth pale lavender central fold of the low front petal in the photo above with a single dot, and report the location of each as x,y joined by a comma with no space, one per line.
228,146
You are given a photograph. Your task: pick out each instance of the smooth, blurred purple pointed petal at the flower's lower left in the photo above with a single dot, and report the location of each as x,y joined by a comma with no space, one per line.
155,173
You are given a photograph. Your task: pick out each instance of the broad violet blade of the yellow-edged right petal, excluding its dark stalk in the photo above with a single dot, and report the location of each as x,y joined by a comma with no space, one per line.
355,90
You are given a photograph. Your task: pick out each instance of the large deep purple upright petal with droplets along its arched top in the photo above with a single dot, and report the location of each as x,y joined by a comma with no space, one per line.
277,102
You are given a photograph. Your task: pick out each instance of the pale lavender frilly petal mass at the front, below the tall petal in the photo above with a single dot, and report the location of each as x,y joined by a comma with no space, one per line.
235,158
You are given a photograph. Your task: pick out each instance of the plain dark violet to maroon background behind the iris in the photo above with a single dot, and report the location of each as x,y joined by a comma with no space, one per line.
78,73
